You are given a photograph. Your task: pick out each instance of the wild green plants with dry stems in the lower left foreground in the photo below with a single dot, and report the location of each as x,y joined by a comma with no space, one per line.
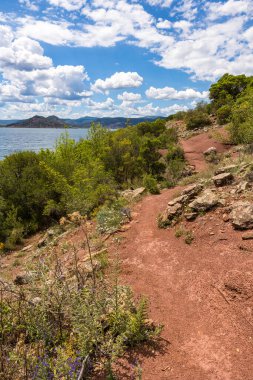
50,328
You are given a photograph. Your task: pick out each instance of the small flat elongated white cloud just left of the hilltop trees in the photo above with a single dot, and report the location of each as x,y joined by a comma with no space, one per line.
172,93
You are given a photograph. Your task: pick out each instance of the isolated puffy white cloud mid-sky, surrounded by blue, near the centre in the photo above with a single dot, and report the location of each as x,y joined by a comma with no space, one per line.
118,80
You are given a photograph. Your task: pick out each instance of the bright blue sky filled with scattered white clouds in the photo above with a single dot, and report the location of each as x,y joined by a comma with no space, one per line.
130,58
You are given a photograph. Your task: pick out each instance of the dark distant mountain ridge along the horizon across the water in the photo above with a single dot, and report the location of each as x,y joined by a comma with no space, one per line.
83,122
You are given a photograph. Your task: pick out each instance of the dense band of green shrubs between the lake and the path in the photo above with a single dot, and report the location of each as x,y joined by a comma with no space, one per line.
38,189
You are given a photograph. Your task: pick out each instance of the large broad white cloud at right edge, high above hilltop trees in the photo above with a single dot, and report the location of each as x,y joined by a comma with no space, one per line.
209,52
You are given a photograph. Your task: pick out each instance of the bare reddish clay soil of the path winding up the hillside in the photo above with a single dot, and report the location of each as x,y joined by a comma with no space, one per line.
201,293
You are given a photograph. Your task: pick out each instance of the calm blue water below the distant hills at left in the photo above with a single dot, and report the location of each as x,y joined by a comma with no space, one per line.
16,139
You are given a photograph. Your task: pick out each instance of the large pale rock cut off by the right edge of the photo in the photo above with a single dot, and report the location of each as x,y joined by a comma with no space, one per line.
242,215
